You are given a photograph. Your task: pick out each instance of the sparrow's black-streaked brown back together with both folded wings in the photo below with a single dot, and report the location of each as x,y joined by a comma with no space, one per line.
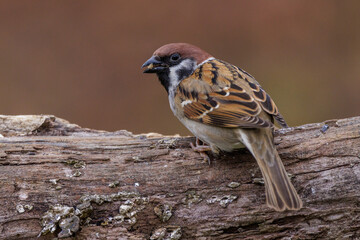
223,95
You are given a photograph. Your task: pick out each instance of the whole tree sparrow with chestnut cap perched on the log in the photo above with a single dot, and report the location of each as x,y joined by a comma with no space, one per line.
227,109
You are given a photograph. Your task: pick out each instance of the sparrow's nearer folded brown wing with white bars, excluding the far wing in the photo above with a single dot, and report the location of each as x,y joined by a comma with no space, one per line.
220,101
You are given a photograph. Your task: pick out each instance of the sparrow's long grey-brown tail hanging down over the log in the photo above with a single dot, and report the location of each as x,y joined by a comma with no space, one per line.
280,193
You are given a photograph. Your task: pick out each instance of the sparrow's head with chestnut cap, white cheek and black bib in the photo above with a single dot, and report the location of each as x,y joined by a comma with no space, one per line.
174,62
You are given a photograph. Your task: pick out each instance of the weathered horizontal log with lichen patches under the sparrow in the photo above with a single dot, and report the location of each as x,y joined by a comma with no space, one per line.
60,180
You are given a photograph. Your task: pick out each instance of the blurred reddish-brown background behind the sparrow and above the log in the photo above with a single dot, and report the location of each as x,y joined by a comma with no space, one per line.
80,60
